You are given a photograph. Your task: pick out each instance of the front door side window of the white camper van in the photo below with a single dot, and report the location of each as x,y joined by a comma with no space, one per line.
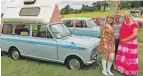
40,31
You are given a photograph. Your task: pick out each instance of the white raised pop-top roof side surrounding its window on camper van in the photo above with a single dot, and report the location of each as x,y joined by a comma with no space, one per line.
12,14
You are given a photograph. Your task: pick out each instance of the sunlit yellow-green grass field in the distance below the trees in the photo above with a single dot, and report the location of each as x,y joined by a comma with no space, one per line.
92,14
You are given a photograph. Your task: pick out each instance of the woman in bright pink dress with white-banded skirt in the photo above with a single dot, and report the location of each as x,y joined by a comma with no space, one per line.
127,57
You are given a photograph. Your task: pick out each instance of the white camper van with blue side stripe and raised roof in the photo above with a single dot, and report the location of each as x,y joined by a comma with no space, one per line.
36,35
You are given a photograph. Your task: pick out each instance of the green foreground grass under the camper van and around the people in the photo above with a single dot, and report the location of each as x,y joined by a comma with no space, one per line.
30,67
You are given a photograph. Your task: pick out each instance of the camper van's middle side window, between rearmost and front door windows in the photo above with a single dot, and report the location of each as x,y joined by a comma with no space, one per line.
22,30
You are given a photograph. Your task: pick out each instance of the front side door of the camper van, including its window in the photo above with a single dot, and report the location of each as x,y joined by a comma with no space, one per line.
42,44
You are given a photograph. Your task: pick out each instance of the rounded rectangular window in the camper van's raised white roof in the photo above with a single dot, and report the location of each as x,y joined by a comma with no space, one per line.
34,11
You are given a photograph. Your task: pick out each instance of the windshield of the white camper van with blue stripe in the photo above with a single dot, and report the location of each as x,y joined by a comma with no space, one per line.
60,30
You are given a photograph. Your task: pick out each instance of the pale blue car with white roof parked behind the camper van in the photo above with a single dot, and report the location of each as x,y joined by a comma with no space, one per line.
82,26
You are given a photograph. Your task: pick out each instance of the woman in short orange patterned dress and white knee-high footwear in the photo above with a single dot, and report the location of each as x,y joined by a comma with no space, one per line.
107,44
